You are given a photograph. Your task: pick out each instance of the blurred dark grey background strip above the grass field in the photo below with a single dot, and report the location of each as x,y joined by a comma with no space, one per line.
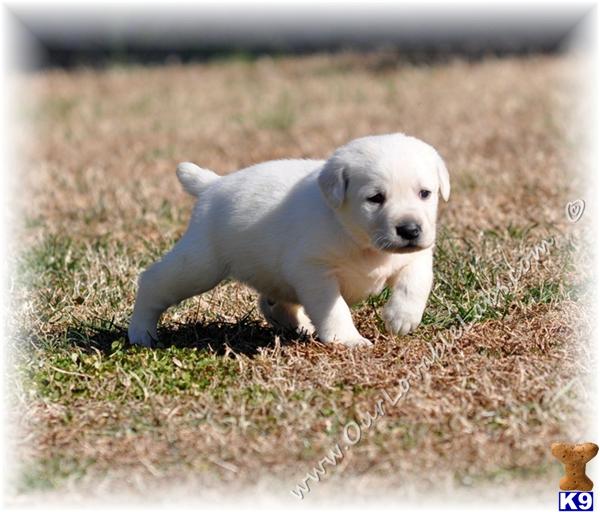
101,35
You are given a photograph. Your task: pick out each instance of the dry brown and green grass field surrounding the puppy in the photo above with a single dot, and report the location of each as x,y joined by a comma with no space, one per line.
227,400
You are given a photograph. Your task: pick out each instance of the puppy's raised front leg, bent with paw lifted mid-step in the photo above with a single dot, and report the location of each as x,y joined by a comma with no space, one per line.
411,287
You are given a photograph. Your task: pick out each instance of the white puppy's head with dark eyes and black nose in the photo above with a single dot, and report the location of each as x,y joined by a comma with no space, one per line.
384,190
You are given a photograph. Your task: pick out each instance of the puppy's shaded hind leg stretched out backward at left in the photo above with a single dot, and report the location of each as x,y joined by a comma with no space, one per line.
188,269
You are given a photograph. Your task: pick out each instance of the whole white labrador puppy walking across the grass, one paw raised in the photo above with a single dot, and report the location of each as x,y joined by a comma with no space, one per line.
311,236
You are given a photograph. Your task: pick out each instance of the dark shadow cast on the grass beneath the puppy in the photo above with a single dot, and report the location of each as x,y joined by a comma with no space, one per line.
244,337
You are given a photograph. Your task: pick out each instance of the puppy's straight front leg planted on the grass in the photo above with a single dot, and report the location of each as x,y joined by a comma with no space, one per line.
320,295
